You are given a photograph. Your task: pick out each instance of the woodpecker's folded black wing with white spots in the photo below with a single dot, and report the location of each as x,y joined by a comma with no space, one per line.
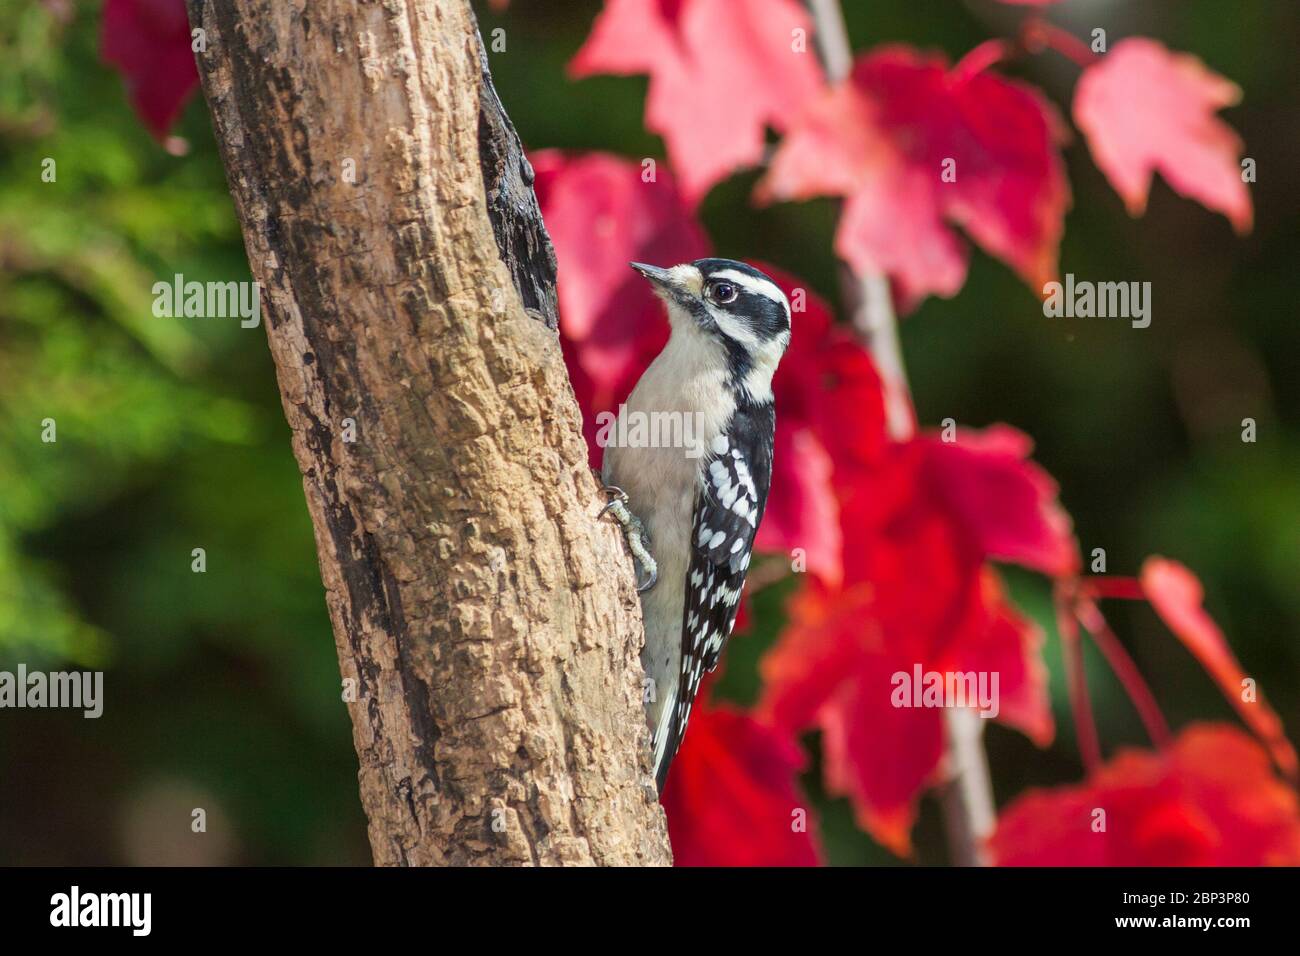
730,504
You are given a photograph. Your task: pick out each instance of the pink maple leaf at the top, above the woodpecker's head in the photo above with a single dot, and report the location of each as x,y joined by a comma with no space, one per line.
721,73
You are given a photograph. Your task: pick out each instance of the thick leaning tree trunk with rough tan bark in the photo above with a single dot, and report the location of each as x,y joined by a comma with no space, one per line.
489,620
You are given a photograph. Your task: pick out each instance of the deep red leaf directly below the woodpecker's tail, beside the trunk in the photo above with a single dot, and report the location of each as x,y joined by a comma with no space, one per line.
733,798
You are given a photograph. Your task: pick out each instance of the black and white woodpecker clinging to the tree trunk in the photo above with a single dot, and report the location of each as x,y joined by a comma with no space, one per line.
690,511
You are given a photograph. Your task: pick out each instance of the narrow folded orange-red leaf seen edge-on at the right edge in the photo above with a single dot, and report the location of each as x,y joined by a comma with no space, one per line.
1177,595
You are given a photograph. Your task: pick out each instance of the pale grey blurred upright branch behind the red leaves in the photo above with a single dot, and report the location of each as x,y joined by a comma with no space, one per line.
968,799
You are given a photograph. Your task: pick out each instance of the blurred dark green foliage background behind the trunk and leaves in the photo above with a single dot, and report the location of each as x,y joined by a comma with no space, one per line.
223,689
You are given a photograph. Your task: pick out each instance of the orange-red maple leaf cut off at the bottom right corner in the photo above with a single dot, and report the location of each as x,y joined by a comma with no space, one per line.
1211,801
